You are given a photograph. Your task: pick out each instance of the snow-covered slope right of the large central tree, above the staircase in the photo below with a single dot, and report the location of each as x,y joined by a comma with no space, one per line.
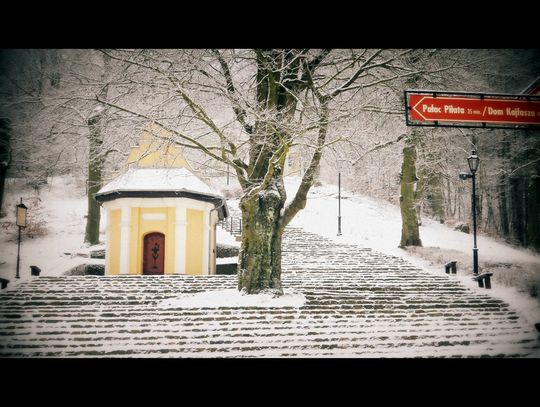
377,225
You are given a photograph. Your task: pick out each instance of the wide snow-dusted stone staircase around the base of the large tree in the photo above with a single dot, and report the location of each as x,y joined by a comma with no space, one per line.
359,303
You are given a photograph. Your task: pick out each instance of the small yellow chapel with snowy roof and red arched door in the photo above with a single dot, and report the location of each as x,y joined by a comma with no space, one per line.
161,218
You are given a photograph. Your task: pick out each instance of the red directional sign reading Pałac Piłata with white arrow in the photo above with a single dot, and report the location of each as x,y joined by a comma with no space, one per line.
434,108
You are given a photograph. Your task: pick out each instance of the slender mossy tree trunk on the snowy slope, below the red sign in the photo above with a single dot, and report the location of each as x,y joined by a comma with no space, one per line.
410,235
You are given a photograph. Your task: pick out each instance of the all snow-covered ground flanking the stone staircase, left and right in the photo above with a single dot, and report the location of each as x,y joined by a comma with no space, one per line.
365,222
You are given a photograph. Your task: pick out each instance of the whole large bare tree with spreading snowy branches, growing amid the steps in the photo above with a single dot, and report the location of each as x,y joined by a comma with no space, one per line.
276,100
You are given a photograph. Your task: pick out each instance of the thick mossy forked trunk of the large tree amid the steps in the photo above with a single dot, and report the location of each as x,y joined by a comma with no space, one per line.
263,214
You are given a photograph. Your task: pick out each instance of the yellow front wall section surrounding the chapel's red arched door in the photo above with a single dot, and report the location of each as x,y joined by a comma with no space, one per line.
141,227
